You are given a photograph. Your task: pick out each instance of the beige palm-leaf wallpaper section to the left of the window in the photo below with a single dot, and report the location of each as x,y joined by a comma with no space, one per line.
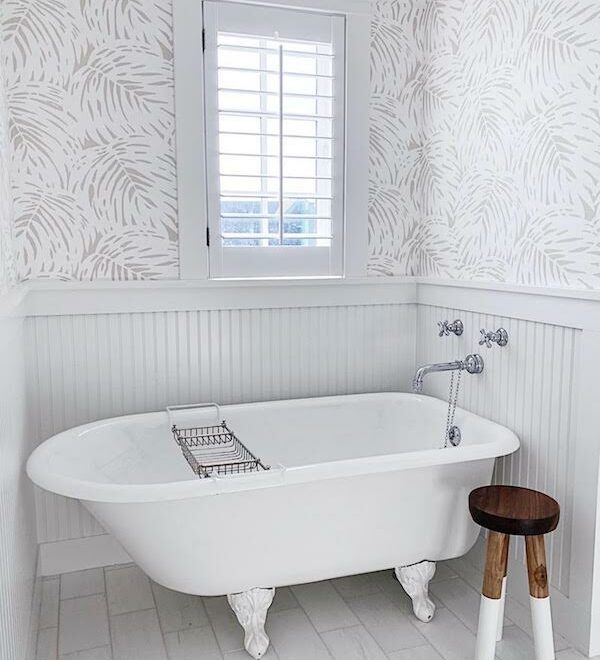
90,94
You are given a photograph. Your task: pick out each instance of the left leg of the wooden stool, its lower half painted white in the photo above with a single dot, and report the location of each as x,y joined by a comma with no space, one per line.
491,595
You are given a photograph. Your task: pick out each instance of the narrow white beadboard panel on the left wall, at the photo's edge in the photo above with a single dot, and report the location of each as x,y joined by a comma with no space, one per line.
18,546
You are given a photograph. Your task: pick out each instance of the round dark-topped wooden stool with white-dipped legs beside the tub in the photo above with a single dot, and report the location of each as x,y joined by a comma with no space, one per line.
506,511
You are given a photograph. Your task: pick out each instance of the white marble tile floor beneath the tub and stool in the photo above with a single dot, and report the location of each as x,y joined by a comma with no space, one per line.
117,613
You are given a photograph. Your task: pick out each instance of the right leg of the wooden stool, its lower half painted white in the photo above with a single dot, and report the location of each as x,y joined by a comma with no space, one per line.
541,615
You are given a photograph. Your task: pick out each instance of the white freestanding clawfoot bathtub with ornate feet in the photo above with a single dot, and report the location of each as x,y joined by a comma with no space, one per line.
357,483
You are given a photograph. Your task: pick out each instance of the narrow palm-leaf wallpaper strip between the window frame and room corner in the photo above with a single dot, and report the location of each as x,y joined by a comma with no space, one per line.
396,133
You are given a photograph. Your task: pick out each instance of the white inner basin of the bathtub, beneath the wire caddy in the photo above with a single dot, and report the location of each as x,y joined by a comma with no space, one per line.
140,449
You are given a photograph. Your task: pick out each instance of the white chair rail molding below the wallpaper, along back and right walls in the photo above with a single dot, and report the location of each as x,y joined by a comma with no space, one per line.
575,308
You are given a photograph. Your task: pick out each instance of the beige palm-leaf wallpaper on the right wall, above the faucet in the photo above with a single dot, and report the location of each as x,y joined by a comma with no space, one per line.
507,162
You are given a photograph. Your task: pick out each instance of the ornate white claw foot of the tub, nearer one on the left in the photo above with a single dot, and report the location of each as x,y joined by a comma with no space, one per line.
250,608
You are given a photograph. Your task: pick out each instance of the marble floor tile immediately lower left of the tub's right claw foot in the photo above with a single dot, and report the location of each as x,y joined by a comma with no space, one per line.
390,627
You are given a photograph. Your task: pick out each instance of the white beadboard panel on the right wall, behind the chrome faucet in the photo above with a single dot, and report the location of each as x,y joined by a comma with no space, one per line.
528,386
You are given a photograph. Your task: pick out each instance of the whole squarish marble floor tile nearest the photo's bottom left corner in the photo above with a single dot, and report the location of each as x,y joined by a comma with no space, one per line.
83,624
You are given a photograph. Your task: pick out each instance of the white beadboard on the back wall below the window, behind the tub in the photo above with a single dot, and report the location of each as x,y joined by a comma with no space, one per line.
88,367
